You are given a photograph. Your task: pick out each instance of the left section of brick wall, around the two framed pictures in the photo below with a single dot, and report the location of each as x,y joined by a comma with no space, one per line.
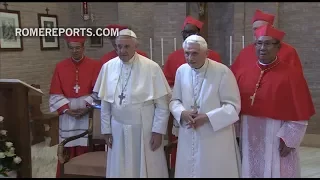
148,20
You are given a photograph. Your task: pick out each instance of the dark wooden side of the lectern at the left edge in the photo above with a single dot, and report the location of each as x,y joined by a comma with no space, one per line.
14,108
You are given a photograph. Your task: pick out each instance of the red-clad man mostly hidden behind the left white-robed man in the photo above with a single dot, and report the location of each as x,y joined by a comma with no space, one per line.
112,54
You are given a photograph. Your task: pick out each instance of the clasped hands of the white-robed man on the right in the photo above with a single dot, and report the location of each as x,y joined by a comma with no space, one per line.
194,119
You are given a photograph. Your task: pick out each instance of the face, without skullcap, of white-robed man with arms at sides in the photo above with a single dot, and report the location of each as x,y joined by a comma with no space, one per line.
126,47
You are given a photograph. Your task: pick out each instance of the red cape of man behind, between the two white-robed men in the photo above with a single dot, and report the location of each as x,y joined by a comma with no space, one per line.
176,59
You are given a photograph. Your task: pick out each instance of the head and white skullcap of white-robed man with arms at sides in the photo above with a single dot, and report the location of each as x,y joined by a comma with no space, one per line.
126,44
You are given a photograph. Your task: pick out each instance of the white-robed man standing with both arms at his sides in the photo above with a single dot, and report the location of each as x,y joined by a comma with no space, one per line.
134,112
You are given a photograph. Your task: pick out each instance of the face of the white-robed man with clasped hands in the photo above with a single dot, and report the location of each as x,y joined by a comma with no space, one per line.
195,56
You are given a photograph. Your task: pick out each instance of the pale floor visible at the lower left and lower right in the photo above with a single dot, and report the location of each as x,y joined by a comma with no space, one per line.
44,161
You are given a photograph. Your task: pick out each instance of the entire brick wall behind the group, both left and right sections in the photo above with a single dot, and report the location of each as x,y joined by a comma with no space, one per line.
163,20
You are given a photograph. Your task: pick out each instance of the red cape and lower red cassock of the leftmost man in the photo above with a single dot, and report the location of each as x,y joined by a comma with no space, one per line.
63,82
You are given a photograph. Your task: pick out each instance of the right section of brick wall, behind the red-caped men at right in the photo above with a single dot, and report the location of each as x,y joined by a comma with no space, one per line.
300,21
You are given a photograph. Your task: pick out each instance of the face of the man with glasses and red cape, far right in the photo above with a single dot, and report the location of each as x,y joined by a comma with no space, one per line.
267,48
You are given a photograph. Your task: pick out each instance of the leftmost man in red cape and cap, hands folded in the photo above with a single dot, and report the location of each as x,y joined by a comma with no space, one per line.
71,95
